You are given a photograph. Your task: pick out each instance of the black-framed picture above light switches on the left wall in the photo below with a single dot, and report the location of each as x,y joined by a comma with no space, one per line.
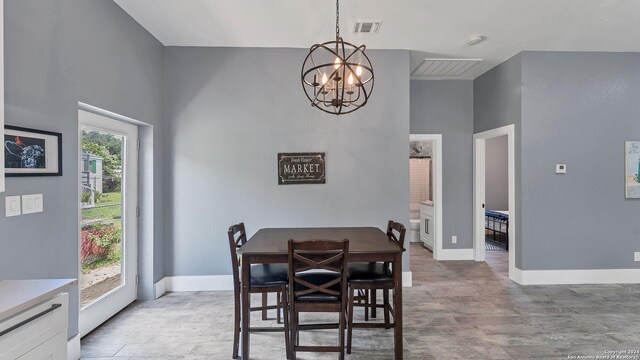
29,152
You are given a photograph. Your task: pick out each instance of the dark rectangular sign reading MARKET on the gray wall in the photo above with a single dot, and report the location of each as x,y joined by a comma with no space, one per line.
301,168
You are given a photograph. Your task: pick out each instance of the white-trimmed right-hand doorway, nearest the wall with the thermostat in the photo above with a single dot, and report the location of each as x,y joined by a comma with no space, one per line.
501,220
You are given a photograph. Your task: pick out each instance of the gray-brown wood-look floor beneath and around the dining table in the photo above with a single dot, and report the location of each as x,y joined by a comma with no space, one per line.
455,310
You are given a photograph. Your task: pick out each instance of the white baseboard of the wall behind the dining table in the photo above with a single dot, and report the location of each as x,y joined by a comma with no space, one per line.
219,283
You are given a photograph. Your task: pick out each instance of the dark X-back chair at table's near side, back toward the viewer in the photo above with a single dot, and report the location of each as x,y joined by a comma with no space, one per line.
317,283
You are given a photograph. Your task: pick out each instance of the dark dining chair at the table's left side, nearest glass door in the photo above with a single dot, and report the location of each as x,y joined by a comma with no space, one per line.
265,279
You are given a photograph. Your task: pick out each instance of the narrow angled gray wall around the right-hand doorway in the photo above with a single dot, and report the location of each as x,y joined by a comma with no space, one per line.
497,102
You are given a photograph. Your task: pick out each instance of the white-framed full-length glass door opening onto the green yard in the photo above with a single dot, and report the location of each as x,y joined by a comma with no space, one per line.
108,217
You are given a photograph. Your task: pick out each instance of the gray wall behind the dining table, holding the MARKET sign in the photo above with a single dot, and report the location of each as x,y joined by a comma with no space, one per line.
231,110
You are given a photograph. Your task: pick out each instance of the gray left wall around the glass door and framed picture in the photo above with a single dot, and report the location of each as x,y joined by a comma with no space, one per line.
56,54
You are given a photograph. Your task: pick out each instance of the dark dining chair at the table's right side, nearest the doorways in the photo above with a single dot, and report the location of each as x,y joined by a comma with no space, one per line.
366,279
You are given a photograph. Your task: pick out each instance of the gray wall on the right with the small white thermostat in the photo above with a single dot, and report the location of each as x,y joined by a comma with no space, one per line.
578,109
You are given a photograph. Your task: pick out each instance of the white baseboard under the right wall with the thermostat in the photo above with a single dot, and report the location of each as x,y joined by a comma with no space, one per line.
575,277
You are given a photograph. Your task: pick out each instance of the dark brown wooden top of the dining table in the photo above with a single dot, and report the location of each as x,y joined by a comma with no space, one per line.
365,240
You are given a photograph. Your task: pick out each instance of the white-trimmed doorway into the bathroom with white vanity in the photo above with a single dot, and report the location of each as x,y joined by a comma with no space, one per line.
425,204
